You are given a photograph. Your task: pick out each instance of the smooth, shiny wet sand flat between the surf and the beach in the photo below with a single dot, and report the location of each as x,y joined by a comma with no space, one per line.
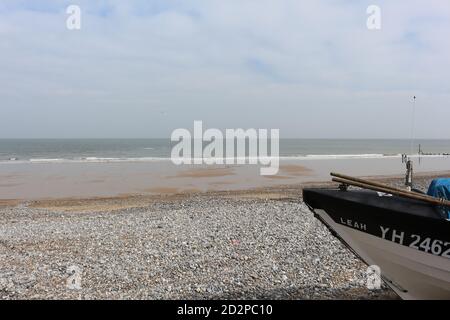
87,180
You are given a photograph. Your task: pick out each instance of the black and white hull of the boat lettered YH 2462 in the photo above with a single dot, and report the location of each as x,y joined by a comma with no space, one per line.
414,263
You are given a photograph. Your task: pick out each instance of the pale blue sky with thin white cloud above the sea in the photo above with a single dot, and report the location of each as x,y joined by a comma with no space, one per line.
140,69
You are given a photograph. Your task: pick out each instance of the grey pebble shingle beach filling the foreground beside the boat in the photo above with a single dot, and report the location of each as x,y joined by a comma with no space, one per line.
256,243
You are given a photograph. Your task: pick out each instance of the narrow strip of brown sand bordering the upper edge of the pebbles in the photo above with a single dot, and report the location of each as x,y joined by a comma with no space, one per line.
287,192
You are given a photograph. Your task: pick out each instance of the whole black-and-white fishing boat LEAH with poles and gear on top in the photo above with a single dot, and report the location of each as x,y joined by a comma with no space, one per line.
404,233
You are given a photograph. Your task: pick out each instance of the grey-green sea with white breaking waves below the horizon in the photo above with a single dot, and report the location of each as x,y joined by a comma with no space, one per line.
47,150
